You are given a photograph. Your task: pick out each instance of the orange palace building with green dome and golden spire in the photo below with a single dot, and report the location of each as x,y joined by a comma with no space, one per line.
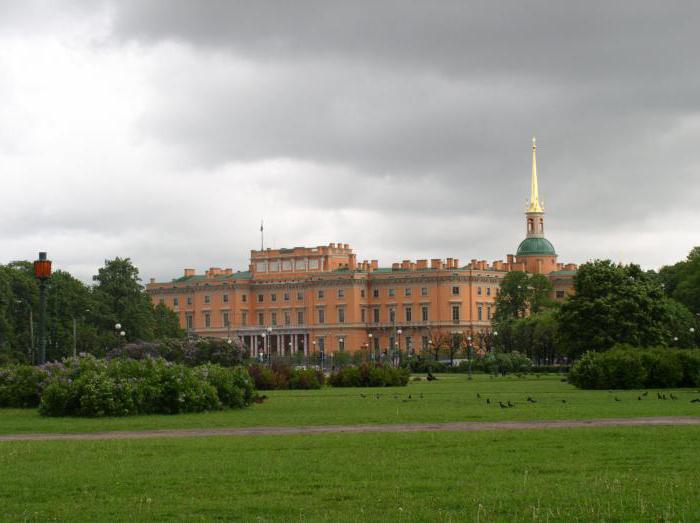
308,299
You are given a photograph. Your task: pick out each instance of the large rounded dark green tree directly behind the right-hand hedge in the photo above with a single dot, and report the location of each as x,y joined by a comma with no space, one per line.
618,304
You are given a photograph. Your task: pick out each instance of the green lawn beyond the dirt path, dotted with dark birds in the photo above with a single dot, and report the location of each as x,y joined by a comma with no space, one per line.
451,398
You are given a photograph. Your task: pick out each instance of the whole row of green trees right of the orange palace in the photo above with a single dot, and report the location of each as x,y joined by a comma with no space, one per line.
612,304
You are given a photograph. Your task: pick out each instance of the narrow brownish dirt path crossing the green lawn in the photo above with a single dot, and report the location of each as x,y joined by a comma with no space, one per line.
465,426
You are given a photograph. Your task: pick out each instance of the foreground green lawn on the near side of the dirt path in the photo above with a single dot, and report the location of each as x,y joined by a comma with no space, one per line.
591,474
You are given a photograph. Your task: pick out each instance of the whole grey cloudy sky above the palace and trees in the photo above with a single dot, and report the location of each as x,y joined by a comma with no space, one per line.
165,130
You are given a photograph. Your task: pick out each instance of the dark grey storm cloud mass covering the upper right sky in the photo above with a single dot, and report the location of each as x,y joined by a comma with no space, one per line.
449,89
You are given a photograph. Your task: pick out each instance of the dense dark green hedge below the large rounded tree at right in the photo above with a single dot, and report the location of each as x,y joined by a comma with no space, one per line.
625,367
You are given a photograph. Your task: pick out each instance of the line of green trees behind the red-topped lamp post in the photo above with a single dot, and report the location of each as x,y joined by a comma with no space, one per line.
79,316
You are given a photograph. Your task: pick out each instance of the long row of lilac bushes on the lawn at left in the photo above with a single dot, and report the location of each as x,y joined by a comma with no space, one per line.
91,387
